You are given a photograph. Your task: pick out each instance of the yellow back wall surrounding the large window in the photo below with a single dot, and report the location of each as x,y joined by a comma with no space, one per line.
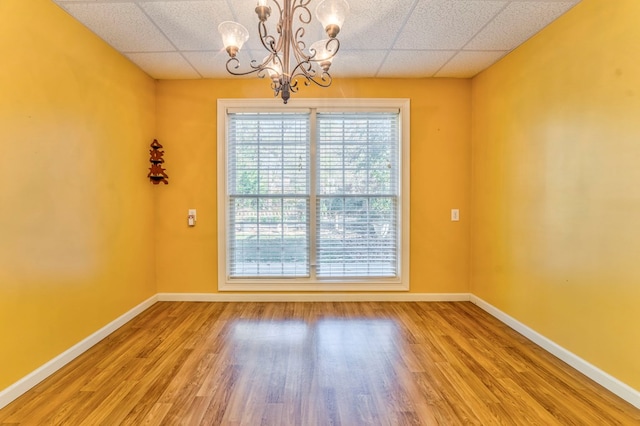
440,167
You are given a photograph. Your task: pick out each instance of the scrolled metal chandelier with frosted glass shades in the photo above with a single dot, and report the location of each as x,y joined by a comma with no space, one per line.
288,59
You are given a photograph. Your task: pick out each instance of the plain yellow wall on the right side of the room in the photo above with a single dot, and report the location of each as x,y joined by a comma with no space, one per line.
556,185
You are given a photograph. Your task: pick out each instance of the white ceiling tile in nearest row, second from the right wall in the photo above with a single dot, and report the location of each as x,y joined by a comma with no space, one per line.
446,24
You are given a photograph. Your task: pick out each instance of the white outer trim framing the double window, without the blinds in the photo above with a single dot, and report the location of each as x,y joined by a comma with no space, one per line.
399,283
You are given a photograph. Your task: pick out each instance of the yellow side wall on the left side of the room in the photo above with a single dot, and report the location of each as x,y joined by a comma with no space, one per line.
76,209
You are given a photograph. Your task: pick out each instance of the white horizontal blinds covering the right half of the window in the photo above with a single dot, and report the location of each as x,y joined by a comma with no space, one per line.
357,194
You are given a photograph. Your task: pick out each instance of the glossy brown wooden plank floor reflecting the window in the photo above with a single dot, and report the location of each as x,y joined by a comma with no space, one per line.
317,364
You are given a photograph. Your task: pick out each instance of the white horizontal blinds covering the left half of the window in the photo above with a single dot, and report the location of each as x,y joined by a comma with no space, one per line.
268,188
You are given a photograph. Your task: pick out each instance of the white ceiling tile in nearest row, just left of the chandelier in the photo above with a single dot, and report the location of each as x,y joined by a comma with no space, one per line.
190,25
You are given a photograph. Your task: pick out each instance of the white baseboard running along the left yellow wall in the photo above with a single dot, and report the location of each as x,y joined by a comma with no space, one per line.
30,380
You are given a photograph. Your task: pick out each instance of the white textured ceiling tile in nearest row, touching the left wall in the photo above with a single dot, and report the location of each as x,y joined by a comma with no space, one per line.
123,25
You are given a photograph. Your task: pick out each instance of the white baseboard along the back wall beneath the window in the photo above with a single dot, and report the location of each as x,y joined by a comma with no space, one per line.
313,297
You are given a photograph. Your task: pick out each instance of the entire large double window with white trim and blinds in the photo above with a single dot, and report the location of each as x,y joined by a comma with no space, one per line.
312,196
